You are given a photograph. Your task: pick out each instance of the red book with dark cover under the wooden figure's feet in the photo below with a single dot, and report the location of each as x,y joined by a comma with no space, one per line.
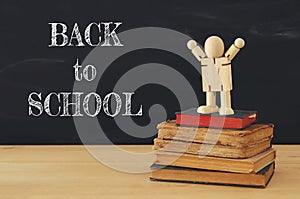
239,120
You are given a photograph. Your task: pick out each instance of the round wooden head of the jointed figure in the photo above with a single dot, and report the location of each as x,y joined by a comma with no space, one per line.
214,47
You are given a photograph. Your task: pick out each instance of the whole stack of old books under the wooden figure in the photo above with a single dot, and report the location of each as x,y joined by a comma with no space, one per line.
197,148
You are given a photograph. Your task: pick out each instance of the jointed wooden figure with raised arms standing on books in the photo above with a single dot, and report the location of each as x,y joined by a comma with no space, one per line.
216,72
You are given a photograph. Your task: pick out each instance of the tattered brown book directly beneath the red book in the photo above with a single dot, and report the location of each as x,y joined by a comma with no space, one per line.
228,137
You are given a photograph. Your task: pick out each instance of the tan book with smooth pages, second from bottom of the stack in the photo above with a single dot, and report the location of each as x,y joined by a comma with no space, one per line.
247,165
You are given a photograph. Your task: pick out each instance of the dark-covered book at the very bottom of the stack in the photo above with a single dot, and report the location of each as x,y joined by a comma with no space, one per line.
179,174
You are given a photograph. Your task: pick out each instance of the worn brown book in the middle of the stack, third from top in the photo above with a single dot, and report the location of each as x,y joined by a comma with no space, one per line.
211,150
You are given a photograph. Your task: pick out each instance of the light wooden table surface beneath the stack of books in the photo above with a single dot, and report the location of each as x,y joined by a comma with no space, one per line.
71,172
